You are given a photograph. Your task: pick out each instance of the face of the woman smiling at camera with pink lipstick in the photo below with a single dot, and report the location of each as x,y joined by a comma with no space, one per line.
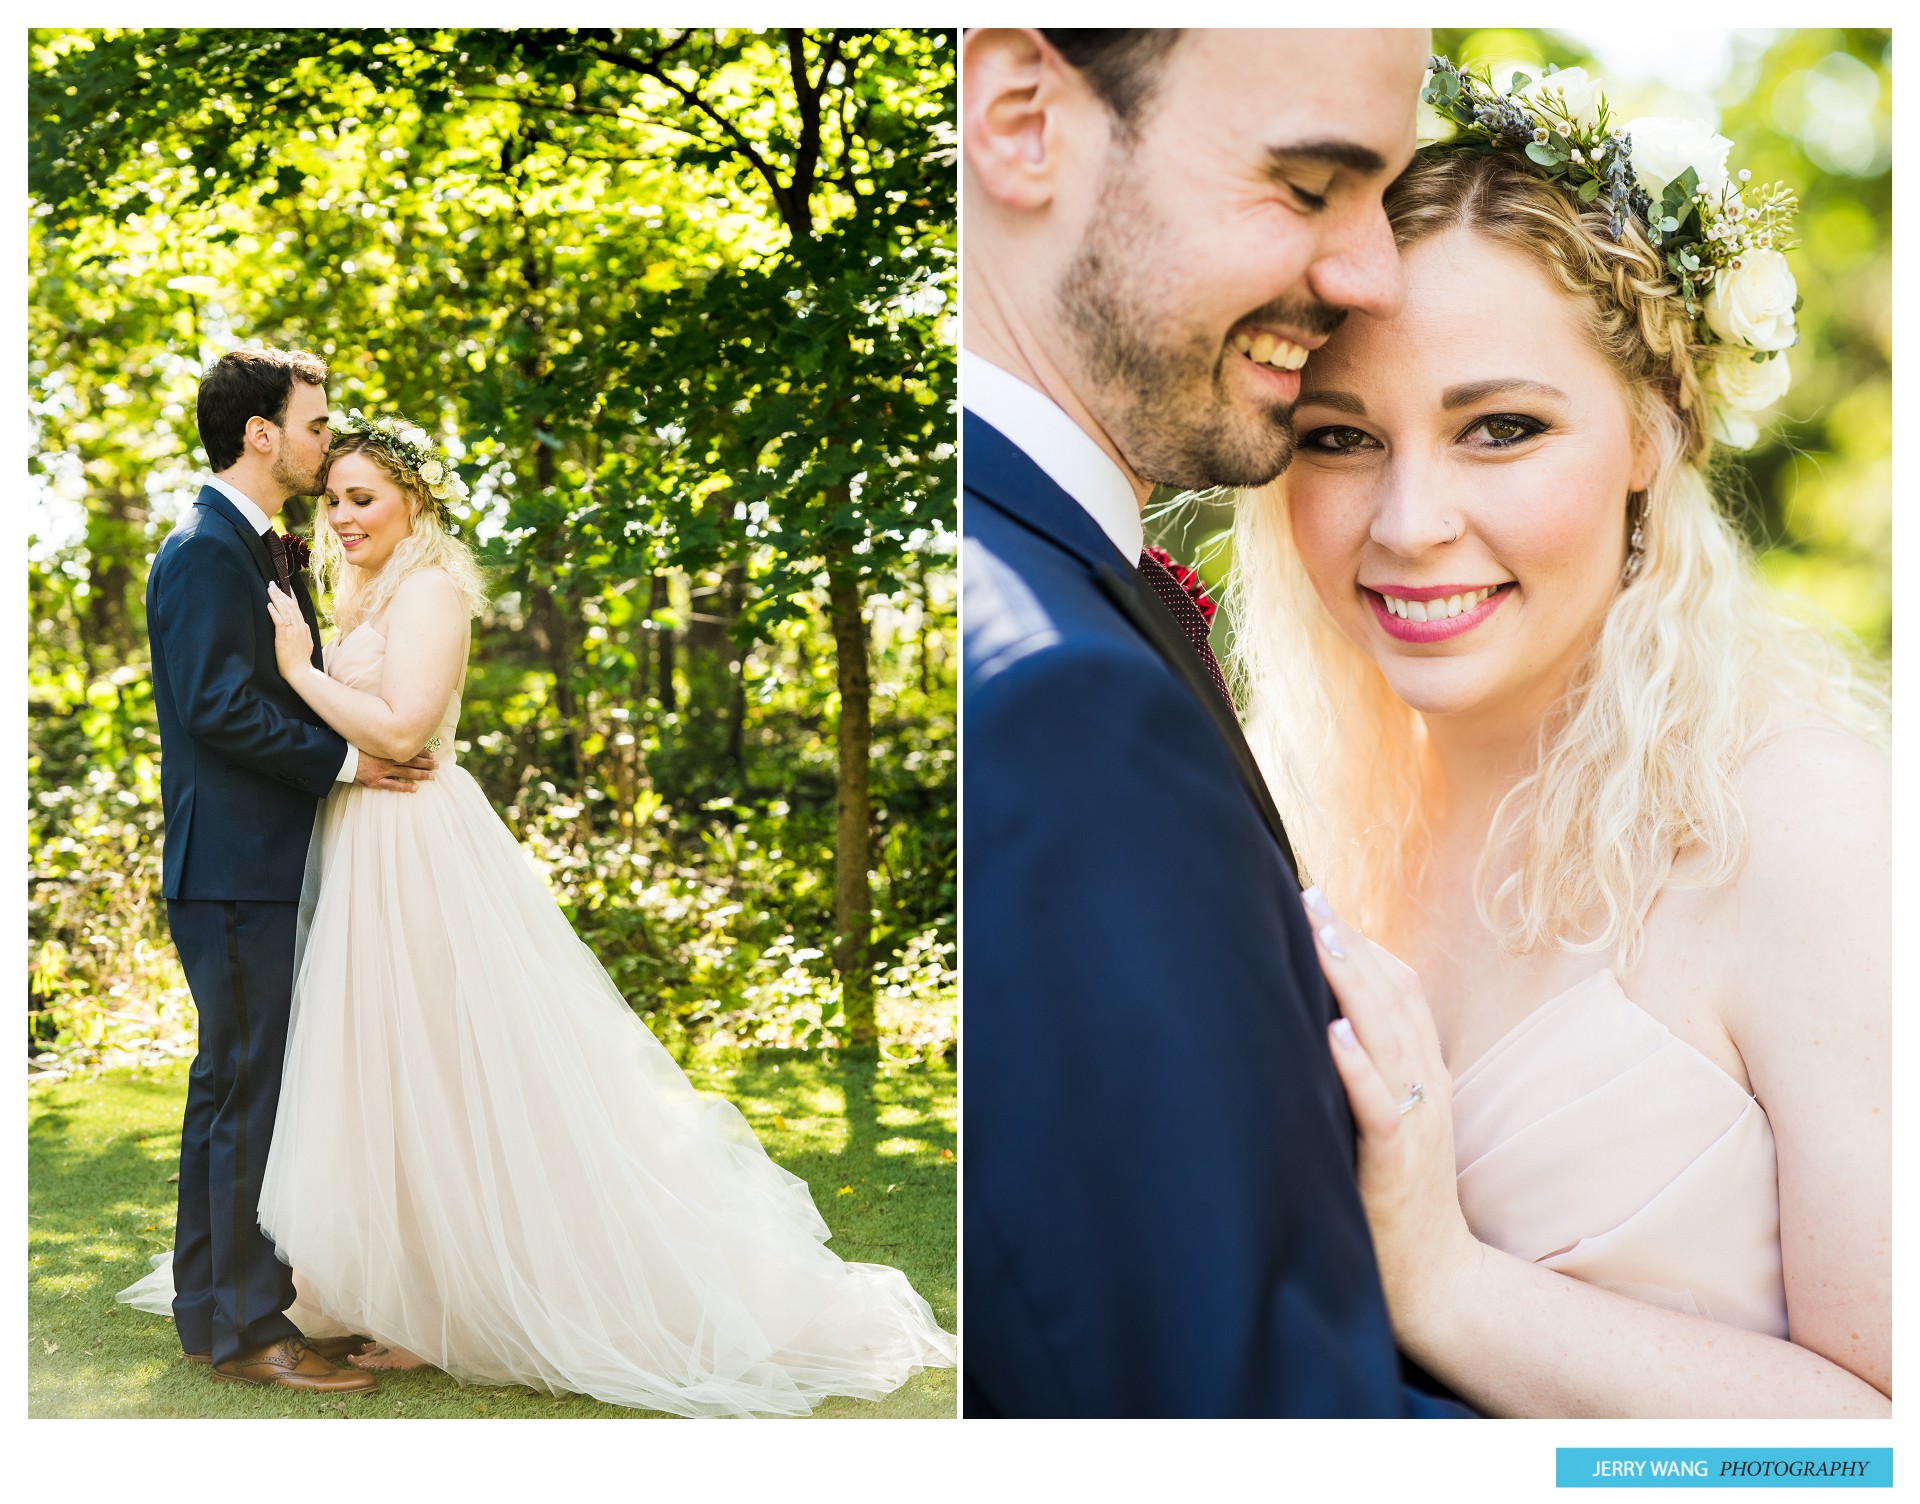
1460,491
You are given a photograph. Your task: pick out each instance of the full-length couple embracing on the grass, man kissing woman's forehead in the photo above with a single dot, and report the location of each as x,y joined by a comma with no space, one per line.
423,1127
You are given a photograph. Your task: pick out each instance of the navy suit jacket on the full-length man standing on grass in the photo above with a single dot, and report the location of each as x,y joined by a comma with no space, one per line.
243,758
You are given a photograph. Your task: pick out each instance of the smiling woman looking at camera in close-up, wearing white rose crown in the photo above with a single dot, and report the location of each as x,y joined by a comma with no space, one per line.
1625,1123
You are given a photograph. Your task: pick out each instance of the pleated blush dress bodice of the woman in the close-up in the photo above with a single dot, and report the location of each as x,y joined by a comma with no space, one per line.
1596,1142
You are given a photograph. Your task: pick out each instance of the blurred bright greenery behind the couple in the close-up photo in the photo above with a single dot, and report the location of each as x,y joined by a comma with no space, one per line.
1810,109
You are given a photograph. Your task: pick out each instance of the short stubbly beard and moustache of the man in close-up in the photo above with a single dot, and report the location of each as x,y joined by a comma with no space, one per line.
1163,395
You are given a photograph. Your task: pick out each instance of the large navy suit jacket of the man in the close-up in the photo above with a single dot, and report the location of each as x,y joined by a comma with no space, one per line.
1161,1201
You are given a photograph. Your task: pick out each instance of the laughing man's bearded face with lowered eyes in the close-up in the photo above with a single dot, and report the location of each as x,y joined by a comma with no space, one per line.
1236,224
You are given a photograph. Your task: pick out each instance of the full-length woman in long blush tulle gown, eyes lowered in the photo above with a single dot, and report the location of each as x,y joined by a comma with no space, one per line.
483,1159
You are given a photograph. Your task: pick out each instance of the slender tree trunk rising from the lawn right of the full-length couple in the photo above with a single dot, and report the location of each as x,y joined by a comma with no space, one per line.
853,896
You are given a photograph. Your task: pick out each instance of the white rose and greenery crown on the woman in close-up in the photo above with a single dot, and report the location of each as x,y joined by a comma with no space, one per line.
1721,239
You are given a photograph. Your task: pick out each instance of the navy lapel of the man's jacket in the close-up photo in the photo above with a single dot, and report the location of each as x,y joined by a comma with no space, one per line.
1007,479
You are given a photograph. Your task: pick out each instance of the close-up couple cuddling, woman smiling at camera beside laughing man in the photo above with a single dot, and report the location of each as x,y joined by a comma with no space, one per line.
1474,994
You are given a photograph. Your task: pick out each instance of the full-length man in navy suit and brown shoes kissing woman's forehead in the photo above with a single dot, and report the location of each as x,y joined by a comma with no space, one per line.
243,769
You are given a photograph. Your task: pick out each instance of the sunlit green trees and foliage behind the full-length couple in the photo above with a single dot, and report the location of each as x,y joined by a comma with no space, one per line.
683,304
